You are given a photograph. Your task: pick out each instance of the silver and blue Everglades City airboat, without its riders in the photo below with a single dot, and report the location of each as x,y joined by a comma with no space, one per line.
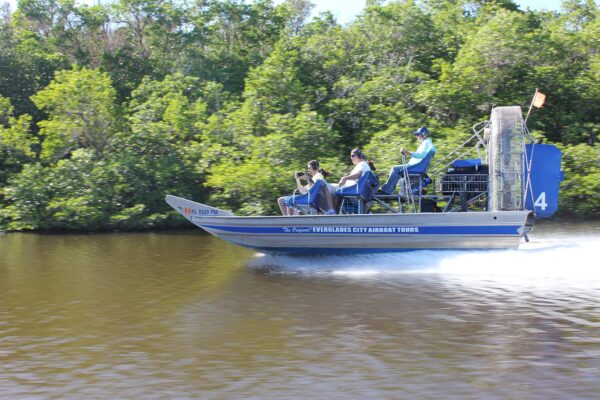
490,201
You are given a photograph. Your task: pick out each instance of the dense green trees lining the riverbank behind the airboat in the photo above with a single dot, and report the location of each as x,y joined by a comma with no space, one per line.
105,109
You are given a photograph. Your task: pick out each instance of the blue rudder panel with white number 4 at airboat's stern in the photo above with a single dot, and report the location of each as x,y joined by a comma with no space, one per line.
545,179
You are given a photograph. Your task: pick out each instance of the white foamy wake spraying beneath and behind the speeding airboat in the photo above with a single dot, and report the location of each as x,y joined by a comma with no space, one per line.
553,258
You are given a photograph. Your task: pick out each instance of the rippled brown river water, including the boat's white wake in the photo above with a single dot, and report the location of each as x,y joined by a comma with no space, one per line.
184,315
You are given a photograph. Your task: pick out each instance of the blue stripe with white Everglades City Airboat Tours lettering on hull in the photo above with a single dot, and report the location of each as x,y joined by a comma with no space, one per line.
374,230
